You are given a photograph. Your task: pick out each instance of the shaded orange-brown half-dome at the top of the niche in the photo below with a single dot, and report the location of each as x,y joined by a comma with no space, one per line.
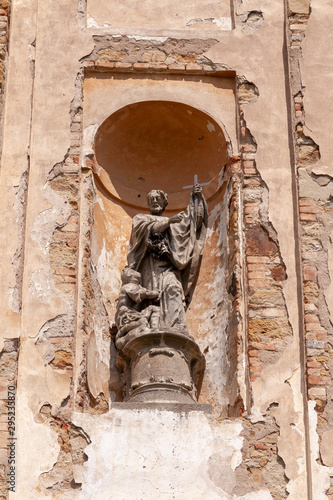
159,145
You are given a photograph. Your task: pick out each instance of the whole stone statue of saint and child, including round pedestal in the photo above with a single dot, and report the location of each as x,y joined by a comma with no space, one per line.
156,353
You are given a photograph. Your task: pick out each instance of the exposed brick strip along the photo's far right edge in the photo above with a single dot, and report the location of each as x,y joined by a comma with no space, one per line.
315,226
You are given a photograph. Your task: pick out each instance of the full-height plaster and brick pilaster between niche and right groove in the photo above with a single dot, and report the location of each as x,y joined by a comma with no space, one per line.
274,361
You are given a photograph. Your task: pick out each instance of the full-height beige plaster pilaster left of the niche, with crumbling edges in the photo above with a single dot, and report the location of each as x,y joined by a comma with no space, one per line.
40,196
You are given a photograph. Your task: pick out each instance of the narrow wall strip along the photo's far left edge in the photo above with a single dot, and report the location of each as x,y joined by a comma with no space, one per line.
13,184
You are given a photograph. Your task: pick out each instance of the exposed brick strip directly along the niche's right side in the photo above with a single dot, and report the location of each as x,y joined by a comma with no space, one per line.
268,330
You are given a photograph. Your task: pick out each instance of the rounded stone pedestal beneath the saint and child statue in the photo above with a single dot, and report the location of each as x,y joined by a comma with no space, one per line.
161,366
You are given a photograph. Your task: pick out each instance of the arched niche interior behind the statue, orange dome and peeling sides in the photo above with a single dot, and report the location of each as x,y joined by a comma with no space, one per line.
162,144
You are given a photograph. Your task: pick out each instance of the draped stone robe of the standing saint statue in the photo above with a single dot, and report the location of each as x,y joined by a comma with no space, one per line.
174,273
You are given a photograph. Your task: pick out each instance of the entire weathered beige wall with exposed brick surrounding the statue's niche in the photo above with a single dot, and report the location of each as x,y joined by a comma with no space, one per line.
71,66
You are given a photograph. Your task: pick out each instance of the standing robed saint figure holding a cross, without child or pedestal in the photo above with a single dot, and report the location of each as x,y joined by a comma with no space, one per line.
166,253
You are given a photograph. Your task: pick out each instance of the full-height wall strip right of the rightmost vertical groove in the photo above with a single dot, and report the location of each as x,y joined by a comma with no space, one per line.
310,54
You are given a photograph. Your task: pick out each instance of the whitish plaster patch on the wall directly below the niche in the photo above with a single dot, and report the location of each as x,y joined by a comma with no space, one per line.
142,452
